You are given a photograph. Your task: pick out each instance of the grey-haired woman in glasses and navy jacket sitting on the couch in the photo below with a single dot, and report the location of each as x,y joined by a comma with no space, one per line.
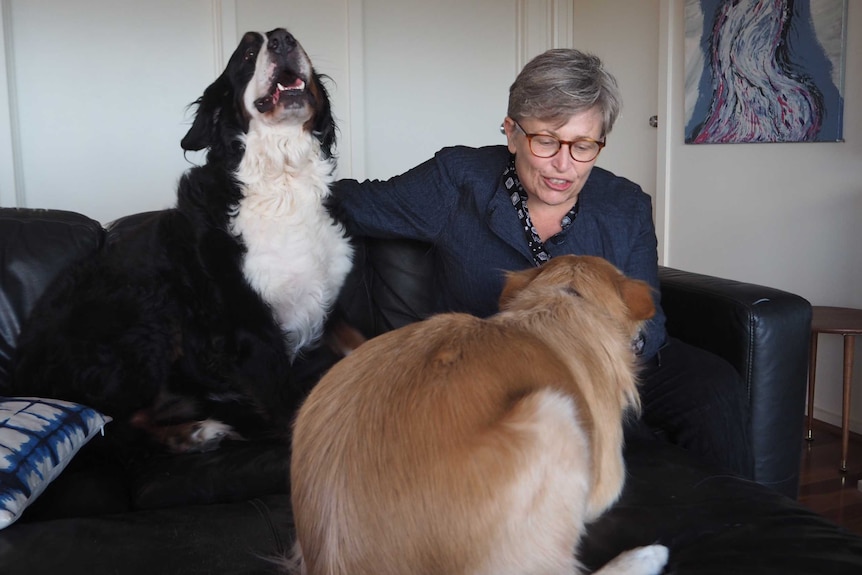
499,208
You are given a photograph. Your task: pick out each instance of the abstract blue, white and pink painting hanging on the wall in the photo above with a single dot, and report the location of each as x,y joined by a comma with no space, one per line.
764,70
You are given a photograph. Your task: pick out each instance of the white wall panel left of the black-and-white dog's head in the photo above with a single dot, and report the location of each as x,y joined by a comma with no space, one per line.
98,94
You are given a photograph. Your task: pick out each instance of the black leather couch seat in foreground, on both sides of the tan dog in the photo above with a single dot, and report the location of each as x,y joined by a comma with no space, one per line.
712,523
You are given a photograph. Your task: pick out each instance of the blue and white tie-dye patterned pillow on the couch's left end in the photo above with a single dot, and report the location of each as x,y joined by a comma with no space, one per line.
38,438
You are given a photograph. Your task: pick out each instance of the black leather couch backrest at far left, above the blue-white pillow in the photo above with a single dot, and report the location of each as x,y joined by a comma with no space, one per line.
35,246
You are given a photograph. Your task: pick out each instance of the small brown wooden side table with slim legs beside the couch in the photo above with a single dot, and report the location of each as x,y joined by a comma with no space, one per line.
846,322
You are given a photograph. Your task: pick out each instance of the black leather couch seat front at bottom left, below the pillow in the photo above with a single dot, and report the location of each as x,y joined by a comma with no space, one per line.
242,537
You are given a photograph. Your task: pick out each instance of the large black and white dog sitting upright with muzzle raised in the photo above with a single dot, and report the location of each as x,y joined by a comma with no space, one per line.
187,325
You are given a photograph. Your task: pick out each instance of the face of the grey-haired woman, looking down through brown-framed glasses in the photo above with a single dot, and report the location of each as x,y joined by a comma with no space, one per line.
554,181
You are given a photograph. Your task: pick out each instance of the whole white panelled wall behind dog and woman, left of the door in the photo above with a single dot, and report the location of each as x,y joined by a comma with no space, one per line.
96,90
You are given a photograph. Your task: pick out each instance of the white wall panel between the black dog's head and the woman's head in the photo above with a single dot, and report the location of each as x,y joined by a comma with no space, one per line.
418,95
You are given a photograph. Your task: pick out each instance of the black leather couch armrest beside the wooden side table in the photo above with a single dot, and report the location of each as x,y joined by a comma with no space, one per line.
764,333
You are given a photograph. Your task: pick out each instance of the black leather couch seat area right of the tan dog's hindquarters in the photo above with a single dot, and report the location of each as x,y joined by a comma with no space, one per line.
715,523
